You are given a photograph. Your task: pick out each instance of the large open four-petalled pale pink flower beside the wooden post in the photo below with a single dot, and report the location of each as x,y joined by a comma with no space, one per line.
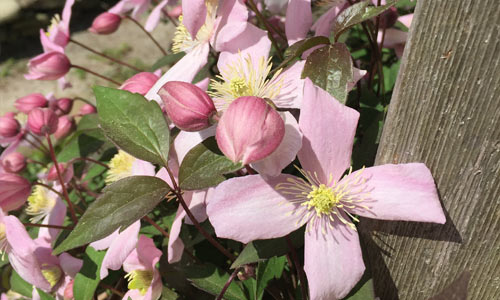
252,207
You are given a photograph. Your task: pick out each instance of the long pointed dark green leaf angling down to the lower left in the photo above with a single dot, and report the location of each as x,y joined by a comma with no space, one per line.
121,204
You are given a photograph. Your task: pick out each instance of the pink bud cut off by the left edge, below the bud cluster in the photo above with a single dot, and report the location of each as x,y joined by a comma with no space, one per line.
14,191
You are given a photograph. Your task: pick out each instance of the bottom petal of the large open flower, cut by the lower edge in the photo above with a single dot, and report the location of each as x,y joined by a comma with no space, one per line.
332,260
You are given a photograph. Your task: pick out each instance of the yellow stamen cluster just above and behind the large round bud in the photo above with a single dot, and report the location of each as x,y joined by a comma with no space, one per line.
243,78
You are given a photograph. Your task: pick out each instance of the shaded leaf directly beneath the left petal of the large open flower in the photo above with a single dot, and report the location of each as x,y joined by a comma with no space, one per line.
261,250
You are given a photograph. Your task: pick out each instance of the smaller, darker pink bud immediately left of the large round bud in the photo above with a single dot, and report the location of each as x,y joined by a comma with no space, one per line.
188,106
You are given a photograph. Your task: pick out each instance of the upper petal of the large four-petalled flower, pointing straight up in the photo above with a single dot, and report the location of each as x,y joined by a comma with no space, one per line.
328,128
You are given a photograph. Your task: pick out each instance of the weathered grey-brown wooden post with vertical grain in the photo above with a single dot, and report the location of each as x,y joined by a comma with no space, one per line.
445,111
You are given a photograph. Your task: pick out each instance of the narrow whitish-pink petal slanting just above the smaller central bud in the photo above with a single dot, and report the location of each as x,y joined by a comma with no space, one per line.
184,70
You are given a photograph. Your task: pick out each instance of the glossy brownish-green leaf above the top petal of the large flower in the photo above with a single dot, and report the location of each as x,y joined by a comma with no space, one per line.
331,69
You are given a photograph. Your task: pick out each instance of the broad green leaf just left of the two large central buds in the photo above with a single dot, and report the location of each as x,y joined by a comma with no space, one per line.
133,123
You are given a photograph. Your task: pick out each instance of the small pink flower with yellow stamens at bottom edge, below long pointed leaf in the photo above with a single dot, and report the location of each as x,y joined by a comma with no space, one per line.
144,279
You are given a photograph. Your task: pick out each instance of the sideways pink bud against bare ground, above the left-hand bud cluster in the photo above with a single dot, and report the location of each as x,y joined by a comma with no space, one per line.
48,66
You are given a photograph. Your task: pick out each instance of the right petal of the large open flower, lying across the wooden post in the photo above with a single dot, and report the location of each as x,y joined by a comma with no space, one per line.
405,192
